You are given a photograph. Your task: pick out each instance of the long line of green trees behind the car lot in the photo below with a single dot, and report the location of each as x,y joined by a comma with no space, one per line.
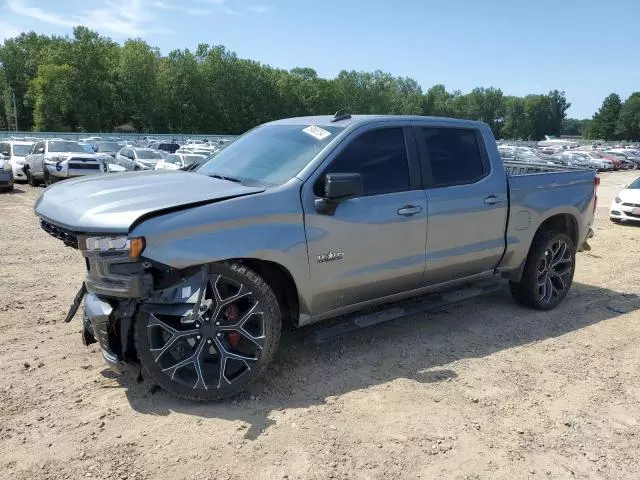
89,83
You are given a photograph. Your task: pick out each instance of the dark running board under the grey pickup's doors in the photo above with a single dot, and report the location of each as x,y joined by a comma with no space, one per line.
403,309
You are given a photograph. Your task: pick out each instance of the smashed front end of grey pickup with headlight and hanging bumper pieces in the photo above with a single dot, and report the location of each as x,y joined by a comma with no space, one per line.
118,282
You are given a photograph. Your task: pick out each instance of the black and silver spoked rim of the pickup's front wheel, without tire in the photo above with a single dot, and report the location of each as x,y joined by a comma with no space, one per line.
212,343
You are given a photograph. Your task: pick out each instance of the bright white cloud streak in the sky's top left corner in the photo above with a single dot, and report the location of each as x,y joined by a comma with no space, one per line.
123,18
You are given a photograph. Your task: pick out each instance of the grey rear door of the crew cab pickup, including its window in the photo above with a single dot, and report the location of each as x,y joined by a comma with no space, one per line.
467,204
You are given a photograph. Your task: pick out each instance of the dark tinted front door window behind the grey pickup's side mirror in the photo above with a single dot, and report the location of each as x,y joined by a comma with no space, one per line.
379,156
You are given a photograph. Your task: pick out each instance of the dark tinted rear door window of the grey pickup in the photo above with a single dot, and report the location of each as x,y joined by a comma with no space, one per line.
454,155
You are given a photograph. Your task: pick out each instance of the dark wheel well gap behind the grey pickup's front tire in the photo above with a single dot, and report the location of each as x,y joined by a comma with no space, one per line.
283,285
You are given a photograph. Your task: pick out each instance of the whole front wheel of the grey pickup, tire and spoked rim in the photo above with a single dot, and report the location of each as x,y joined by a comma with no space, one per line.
228,344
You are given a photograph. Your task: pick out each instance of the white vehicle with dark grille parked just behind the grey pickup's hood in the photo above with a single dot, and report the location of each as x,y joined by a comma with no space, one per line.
53,160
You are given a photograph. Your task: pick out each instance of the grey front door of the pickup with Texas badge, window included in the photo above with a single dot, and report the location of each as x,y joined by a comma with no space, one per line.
372,246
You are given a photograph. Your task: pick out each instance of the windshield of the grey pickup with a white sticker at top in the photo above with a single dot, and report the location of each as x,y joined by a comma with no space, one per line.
270,154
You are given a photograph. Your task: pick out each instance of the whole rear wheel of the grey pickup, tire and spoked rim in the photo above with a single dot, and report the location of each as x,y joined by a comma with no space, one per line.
548,272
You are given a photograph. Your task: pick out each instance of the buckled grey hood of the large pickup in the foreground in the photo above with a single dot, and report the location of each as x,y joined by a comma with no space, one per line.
113,202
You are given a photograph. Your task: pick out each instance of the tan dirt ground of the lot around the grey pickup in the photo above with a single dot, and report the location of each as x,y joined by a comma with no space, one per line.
484,390
